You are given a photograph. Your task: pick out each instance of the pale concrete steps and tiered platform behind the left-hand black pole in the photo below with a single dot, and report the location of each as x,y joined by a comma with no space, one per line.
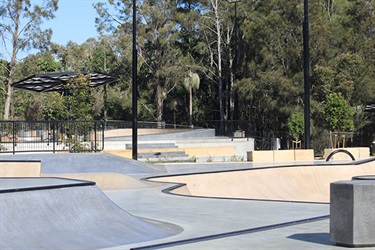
199,145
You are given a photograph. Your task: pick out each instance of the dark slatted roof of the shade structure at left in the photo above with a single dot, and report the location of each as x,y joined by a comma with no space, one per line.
56,81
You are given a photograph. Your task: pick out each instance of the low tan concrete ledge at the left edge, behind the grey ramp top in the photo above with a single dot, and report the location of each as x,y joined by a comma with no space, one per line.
20,168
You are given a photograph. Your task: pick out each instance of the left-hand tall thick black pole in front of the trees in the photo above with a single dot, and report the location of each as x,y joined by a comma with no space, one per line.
135,92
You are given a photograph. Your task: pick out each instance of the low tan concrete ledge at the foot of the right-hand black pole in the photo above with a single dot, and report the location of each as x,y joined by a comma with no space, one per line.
281,155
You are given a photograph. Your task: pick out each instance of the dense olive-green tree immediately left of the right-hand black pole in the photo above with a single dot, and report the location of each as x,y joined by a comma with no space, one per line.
271,86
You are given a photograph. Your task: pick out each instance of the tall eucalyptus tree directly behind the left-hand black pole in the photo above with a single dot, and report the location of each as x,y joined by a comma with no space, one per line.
157,32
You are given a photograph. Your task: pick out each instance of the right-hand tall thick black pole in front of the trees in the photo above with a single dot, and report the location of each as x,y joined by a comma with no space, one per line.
306,73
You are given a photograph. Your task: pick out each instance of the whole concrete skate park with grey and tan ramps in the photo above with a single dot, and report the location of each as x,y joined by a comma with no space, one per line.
107,201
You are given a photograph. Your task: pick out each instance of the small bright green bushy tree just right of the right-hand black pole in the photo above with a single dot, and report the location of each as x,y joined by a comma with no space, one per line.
338,113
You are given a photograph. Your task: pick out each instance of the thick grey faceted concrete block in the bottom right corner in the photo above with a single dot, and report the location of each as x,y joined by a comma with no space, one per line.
352,213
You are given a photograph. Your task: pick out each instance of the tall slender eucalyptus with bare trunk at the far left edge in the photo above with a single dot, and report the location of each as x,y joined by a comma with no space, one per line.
20,29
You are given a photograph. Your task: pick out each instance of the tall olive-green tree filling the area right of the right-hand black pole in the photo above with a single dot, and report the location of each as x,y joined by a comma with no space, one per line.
343,58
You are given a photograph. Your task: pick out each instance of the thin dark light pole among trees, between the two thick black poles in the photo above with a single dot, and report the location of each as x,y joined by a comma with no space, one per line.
235,65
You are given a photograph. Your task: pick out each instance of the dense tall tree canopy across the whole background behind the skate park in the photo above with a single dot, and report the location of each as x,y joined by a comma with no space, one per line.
250,64
